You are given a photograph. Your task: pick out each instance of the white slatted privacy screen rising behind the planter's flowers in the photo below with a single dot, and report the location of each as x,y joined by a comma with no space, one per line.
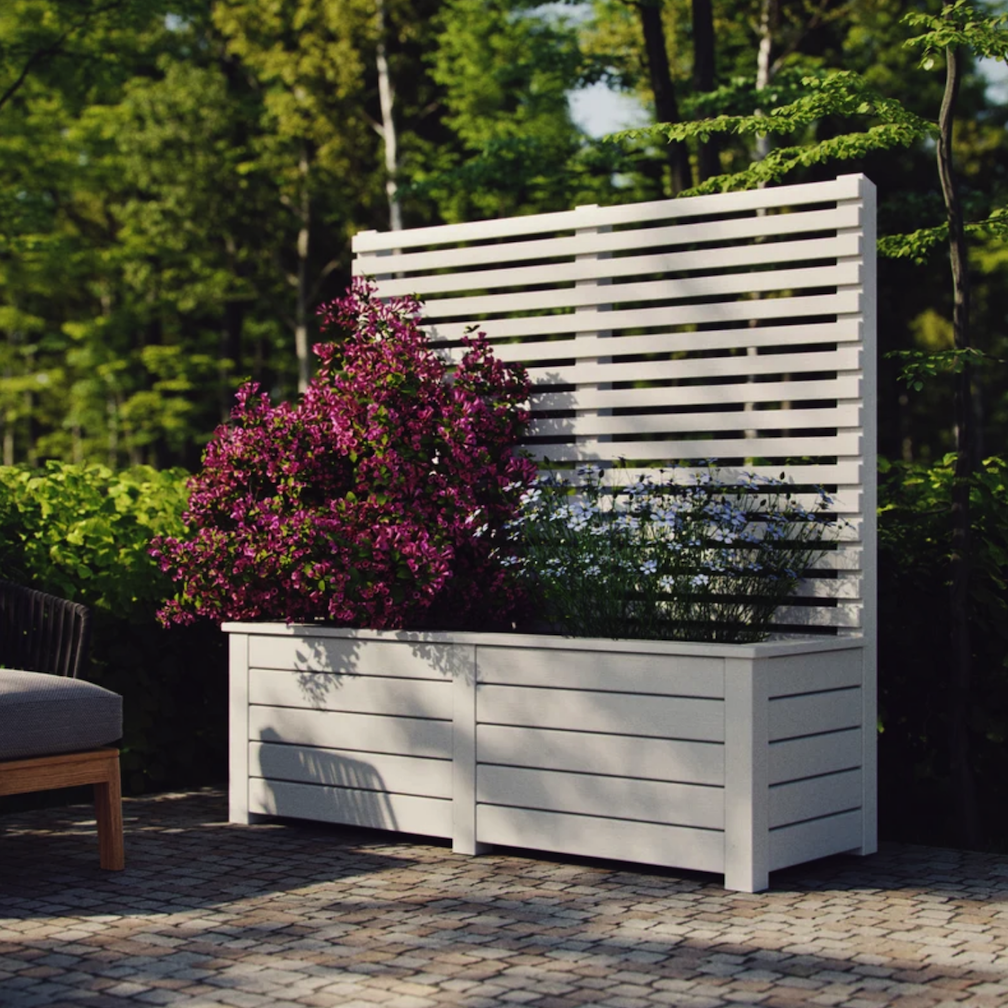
737,327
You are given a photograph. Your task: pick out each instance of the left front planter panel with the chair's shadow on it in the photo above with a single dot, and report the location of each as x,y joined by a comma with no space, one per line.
352,732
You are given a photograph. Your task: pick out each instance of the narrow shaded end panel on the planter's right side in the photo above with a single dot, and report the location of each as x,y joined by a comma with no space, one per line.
817,769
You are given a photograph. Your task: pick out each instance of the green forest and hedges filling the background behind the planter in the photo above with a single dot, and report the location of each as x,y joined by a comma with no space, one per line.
180,181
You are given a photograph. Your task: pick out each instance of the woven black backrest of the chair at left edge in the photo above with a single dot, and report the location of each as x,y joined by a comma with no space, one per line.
43,634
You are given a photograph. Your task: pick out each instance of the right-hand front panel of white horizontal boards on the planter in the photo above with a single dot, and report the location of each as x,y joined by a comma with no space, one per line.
603,754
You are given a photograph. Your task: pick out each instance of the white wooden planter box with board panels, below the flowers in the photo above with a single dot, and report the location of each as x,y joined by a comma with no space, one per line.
732,760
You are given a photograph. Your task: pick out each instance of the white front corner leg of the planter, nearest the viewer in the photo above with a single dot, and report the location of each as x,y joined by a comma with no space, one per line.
747,791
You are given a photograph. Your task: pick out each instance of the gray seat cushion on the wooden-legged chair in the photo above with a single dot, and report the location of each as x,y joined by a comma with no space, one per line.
43,715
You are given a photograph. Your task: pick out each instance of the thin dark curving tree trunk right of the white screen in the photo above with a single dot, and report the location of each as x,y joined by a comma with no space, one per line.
960,562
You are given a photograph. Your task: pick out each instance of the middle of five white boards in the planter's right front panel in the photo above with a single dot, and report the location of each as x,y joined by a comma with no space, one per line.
654,760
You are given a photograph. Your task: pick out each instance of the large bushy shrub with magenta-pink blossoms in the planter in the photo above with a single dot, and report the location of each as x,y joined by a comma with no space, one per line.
379,500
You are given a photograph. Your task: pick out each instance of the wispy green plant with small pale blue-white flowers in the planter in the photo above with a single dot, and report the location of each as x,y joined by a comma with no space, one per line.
689,560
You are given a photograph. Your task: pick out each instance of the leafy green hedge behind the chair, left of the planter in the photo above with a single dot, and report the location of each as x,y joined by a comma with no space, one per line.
83,533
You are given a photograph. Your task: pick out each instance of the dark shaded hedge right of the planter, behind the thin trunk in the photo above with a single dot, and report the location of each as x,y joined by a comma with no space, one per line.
916,789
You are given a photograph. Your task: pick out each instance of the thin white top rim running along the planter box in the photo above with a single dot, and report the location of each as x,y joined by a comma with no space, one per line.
792,646
